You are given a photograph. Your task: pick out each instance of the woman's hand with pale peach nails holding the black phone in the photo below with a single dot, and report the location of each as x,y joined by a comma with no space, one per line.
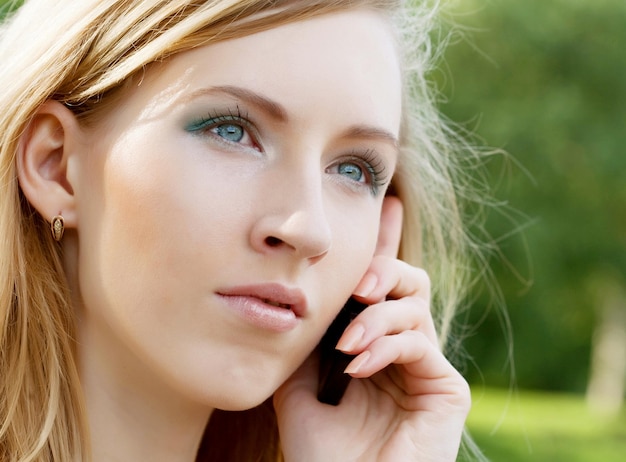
409,403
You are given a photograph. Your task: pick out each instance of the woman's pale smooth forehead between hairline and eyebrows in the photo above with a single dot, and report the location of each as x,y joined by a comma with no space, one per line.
346,61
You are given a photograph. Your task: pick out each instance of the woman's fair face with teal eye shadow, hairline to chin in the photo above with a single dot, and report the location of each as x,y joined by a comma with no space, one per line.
230,203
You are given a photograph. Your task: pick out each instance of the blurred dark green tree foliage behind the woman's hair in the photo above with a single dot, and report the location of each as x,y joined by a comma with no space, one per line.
545,80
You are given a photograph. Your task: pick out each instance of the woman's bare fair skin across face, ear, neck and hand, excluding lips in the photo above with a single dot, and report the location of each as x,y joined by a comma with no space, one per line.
164,210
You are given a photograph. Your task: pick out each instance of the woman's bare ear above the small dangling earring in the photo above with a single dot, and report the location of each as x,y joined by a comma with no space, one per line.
46,147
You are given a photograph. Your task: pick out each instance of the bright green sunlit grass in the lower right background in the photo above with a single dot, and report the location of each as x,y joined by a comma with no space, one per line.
544,427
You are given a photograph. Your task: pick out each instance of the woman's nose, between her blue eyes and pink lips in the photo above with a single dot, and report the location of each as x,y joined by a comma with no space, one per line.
292,219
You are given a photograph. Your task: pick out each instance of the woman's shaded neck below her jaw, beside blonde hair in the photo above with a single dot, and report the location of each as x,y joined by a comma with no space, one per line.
132,415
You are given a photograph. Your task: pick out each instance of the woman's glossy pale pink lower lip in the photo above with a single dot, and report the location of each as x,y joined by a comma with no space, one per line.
263,315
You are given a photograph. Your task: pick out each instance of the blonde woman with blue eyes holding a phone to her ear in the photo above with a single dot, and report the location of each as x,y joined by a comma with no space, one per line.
190,193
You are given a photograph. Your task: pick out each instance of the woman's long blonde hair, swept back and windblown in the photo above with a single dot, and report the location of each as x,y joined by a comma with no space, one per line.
81,55
